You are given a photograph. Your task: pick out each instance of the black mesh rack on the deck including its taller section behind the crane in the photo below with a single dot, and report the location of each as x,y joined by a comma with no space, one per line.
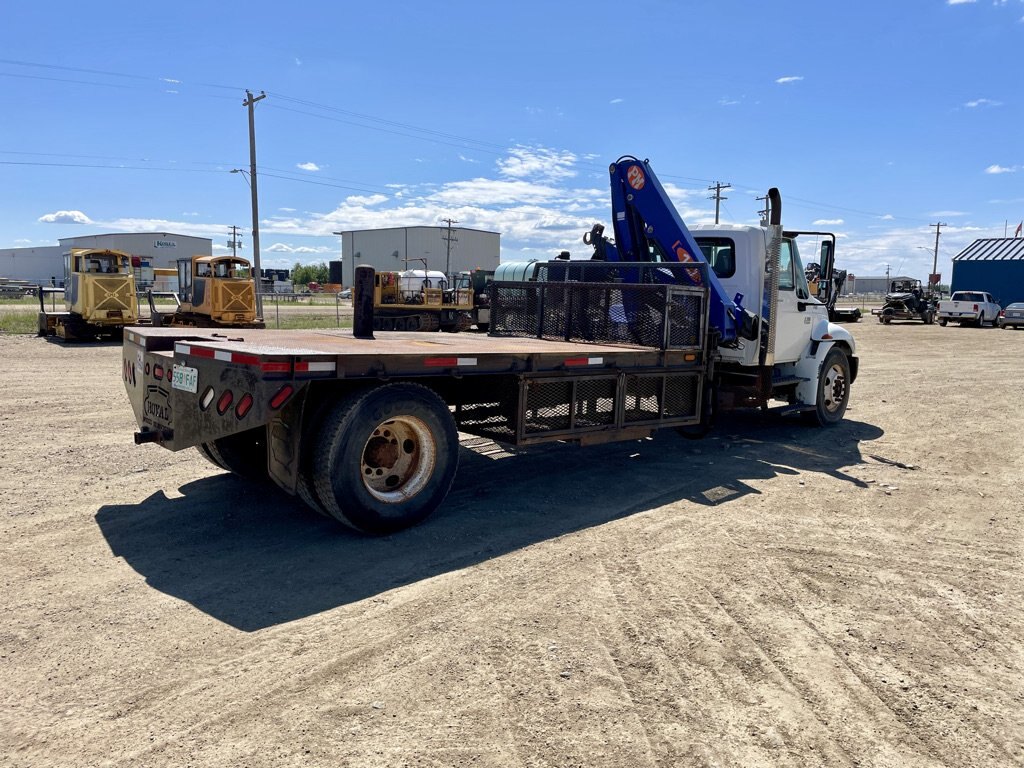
659,306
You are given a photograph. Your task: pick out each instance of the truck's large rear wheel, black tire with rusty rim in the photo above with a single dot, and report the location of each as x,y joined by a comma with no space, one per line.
387,458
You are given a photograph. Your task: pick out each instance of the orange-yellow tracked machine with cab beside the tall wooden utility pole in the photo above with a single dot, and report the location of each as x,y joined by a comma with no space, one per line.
214,291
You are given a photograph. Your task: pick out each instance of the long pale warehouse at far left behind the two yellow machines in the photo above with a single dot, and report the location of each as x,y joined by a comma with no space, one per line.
42,265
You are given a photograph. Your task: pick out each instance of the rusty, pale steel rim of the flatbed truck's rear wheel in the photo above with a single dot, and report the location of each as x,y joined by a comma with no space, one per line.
398,459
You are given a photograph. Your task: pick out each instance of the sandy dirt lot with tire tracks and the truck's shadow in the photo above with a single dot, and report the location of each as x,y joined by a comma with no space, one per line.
772,596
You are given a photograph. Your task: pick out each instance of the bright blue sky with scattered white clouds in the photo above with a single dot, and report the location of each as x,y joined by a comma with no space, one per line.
875,119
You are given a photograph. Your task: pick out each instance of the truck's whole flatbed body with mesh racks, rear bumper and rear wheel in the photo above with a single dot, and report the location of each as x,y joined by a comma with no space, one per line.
366,430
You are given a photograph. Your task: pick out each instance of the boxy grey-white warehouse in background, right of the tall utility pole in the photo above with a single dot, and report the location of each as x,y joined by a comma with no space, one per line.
402,248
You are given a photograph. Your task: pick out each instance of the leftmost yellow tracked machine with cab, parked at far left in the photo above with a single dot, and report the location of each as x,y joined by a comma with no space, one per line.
100,296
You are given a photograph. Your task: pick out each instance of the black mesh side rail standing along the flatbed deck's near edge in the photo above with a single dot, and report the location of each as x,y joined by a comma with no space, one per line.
662,317
